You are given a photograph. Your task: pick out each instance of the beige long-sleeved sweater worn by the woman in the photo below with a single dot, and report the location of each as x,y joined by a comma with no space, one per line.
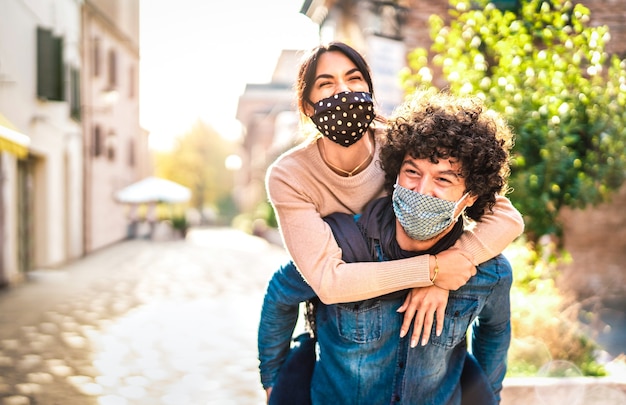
302,190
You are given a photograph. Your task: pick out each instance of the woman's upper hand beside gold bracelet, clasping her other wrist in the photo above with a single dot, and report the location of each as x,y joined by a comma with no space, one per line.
456,266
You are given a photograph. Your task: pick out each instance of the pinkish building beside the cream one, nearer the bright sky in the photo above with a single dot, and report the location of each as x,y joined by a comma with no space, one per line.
114,143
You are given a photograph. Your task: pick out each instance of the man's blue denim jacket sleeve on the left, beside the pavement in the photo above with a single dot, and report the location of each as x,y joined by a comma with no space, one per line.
279,315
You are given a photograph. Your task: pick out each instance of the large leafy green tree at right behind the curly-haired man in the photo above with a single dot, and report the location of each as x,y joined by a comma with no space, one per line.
547,71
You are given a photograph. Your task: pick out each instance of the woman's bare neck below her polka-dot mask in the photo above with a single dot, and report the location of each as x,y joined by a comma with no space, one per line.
347,161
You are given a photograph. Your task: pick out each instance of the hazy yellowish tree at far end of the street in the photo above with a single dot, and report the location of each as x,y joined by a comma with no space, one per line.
197,161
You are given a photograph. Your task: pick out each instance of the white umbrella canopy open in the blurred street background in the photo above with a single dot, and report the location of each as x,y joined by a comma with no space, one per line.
153,189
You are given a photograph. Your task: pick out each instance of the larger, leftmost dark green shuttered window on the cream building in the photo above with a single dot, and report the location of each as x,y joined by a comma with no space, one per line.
50,83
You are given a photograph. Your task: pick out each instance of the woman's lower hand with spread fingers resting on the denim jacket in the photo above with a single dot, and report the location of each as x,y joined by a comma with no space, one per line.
425,303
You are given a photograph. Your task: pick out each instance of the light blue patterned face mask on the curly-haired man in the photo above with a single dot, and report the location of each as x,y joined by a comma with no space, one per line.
422,216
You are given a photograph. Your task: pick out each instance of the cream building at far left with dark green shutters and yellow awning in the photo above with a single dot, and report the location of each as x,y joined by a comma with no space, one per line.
41,189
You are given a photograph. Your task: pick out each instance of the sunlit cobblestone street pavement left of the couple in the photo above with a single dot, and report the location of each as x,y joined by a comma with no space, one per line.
140,323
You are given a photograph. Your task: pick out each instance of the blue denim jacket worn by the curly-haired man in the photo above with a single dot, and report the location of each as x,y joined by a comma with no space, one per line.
362,359
